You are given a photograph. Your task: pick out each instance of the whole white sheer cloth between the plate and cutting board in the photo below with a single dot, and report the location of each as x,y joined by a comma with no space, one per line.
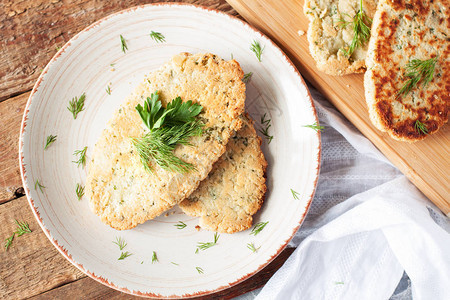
366,226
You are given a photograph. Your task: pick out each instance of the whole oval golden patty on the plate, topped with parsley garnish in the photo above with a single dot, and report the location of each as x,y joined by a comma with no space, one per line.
120,190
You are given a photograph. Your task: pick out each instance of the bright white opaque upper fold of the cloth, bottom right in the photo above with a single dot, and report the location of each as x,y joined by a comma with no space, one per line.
361,253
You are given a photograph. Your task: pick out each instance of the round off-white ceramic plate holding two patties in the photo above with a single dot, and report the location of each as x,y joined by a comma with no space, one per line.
83,65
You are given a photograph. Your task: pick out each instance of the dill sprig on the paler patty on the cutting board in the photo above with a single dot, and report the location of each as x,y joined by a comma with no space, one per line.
361,30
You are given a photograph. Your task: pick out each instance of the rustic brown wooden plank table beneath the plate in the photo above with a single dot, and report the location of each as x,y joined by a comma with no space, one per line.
30,33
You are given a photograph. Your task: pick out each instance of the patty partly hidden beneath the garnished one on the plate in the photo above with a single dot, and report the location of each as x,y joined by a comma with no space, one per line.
234,190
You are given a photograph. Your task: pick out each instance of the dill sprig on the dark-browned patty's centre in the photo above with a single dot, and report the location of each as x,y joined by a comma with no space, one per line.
417,71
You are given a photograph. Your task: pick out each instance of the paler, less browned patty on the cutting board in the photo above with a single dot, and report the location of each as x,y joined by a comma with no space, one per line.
328,38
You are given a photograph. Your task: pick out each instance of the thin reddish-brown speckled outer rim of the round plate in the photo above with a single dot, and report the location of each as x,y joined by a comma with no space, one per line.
64,251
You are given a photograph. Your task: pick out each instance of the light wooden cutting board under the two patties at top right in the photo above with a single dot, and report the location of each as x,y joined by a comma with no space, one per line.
425,163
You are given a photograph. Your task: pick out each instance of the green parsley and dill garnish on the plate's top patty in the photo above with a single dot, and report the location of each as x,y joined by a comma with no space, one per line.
169,126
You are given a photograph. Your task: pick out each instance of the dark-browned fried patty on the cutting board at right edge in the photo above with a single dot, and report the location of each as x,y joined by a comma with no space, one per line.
403,31
